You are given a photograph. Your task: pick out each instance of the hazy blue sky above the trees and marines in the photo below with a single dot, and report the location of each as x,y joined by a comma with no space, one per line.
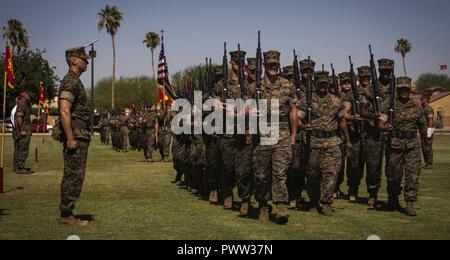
194,29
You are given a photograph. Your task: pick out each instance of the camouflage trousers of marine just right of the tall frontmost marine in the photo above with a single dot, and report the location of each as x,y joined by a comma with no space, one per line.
323,168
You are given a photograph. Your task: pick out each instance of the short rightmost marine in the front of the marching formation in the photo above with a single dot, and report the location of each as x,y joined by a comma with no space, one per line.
404,154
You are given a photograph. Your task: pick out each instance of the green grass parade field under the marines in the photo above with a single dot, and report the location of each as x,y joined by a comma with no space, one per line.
130,199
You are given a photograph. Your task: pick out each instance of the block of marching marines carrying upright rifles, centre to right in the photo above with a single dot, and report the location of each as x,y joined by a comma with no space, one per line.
330,126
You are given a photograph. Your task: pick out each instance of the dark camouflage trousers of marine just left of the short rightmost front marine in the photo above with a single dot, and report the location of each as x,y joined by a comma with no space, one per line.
372,158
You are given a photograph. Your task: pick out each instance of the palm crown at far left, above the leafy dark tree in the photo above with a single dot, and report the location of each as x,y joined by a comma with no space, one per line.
16,33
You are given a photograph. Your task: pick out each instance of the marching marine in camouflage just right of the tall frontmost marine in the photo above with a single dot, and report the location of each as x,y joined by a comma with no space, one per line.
324,154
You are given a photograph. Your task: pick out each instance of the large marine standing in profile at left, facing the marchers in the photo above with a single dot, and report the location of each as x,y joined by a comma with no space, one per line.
73,92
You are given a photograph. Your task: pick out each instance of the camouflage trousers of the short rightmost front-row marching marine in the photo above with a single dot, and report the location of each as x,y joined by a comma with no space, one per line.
408,163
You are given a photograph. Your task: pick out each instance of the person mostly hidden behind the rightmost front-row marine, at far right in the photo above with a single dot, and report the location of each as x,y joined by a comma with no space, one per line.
427,143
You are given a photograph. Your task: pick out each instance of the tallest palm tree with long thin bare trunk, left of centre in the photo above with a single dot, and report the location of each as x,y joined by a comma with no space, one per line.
111,17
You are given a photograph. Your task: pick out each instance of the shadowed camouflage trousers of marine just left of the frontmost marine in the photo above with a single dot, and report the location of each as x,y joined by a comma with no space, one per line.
244,171
